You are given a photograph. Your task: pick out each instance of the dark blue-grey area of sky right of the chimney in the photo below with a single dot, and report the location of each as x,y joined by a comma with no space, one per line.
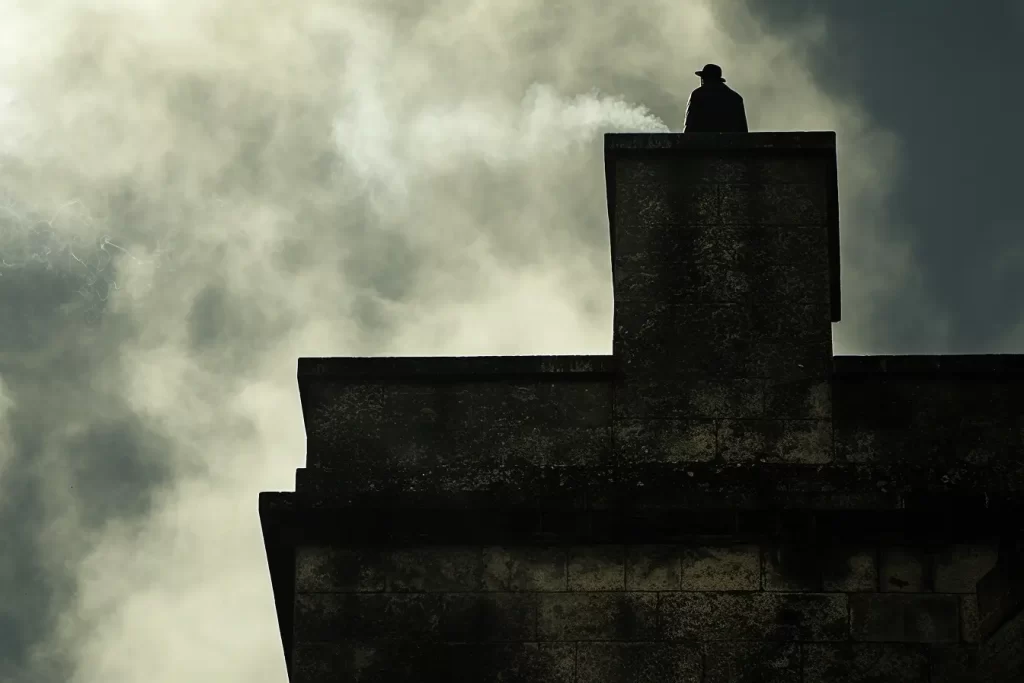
944,77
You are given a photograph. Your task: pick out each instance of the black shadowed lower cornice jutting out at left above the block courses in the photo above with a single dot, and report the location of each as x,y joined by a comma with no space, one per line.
290,521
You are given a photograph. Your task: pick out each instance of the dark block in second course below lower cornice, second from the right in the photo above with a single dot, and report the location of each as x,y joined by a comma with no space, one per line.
905,618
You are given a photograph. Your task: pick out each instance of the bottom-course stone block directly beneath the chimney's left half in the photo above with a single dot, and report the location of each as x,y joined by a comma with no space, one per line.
638,663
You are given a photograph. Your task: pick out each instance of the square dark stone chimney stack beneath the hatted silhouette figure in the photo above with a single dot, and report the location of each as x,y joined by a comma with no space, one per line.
726,253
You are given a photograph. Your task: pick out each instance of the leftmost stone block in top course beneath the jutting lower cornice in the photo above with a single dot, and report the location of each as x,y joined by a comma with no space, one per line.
327,570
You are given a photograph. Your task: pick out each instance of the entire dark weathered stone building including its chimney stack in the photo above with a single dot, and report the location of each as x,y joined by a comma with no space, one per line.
721,500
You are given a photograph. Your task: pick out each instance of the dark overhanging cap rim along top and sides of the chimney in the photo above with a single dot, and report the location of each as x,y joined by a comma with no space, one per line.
620,146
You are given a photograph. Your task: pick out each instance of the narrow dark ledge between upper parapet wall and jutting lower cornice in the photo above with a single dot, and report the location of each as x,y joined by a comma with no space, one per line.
668,486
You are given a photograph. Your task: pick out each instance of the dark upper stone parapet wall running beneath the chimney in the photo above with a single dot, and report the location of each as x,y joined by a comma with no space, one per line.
864,437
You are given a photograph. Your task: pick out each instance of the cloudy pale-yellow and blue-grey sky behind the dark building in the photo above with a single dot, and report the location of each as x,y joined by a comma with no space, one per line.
195,194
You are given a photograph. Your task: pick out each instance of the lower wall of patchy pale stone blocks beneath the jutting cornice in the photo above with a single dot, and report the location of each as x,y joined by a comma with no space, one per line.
704,612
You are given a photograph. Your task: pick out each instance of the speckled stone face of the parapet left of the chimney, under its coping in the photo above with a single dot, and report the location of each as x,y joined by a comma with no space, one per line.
369,432
